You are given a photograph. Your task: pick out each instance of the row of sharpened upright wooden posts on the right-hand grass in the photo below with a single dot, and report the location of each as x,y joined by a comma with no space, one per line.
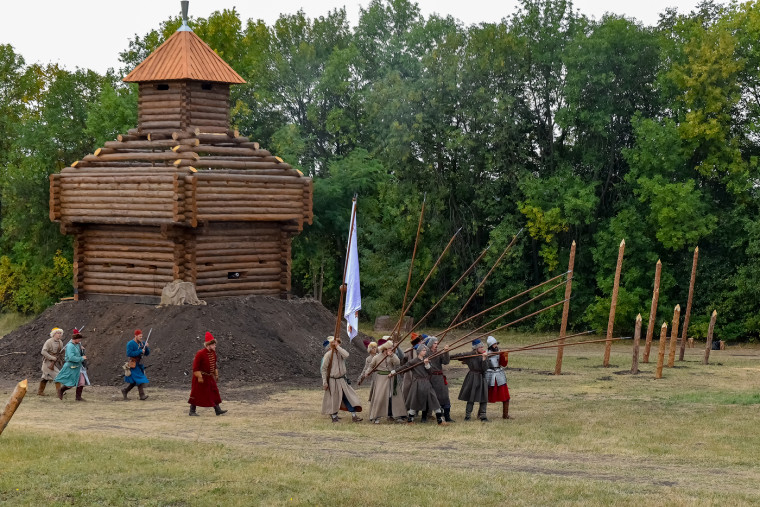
674,339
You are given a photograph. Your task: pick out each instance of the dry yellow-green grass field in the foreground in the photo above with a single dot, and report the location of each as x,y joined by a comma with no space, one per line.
592,436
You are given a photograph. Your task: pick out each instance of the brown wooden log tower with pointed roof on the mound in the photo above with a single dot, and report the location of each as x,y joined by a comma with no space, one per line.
182,196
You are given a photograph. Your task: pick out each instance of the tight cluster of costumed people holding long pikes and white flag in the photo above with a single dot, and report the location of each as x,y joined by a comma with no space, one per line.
420,386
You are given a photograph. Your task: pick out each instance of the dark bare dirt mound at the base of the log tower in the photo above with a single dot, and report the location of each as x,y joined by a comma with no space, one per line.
260,339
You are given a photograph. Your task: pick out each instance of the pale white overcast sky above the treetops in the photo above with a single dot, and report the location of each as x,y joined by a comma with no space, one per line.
91,33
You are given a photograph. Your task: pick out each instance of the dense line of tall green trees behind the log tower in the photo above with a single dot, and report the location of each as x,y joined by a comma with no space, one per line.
569,128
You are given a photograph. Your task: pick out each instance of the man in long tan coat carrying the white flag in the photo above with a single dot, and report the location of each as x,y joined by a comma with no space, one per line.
338,394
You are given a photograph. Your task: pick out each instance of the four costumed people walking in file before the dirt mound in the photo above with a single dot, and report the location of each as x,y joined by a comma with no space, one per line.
66,365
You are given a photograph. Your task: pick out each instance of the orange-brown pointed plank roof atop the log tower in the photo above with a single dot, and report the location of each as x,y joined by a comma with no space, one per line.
184,56
